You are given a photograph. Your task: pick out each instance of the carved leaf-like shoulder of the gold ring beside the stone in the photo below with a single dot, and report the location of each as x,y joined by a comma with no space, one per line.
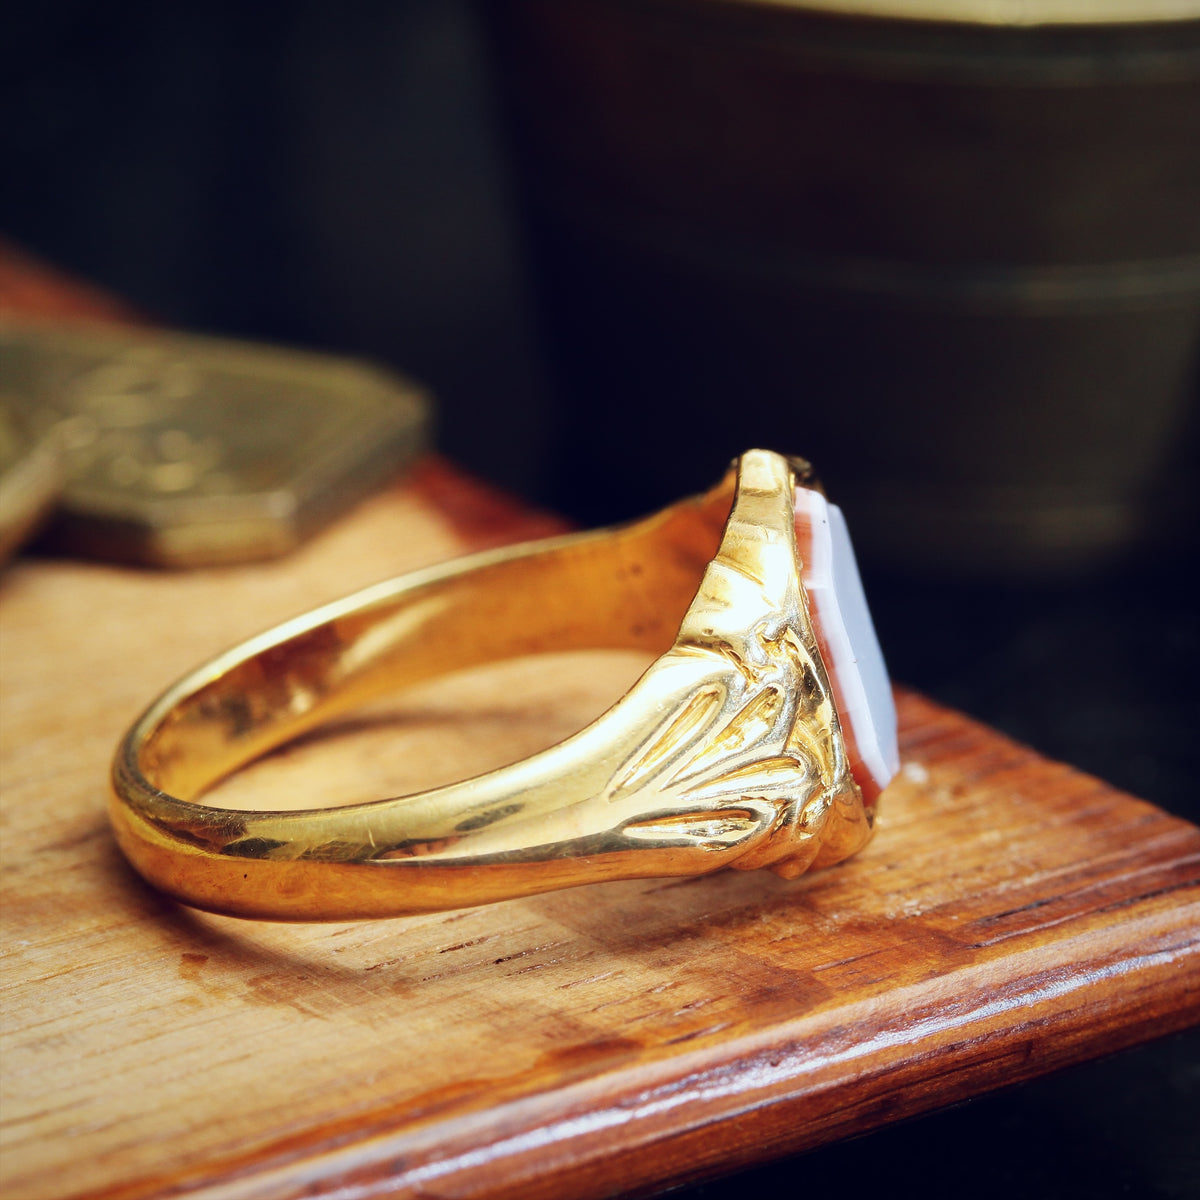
754,761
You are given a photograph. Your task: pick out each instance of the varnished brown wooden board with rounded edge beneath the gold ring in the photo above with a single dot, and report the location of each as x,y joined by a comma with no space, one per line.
1011,916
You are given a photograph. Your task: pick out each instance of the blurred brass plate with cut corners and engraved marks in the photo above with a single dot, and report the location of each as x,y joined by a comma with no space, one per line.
185,452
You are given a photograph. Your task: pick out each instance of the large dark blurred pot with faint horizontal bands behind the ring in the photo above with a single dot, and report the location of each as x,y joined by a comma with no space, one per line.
955,265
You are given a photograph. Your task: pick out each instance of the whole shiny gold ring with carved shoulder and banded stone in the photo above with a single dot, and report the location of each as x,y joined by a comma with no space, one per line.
759,737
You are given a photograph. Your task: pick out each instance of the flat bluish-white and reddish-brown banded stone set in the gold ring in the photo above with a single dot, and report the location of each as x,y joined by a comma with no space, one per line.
848,641
